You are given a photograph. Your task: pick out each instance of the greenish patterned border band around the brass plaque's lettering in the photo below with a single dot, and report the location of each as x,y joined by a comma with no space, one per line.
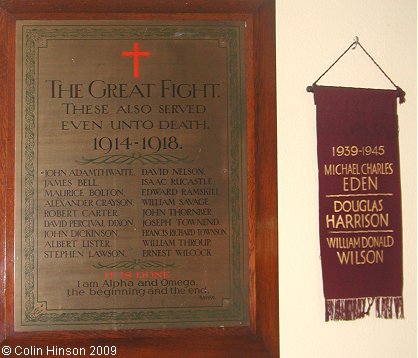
35,37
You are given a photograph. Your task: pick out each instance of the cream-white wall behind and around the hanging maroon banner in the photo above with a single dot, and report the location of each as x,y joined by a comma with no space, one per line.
311,34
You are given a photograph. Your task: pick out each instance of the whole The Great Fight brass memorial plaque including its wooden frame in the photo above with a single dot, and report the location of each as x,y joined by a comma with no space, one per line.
140,206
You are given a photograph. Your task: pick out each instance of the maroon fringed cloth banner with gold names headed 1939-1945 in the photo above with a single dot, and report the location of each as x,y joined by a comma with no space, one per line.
359,202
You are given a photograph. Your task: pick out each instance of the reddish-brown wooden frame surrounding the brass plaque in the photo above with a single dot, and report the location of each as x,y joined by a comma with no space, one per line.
261,338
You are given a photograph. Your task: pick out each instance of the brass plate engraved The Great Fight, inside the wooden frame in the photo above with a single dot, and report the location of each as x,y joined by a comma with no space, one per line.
130,175
